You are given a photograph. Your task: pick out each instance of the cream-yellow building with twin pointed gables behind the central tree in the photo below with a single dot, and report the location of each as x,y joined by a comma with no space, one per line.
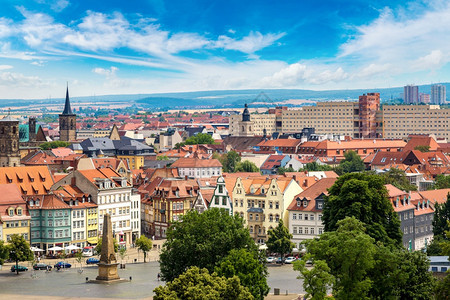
262,202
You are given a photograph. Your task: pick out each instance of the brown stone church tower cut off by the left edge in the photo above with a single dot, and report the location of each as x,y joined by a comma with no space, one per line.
9,142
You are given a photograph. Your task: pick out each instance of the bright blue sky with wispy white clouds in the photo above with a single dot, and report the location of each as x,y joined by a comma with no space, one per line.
152,46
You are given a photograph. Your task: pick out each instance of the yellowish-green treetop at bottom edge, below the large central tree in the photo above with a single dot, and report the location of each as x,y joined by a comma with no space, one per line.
198,283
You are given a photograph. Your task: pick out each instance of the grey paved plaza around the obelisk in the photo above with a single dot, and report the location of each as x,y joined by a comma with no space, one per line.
71,283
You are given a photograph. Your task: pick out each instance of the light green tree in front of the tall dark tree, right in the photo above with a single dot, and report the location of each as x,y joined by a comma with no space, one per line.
349,253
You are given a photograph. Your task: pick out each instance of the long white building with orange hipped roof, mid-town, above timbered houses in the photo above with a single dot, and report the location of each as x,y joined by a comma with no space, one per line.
198,168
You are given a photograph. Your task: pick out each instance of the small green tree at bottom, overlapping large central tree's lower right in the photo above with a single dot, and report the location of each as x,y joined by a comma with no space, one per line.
248,267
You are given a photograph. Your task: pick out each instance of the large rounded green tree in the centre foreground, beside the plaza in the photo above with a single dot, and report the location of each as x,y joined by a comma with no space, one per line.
202,240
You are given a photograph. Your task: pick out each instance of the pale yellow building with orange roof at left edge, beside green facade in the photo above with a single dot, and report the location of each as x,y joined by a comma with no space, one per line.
14,215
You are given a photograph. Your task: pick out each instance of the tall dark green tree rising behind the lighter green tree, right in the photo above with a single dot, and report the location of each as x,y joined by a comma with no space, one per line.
363,196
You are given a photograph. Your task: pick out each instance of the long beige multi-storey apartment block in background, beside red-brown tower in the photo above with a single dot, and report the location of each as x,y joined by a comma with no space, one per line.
345,118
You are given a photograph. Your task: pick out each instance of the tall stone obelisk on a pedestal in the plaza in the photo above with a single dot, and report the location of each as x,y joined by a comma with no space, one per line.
107,267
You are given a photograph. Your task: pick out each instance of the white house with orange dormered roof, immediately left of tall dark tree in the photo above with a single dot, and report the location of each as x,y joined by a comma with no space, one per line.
305,211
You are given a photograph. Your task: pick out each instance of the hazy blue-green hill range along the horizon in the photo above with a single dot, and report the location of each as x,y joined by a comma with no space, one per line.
227,98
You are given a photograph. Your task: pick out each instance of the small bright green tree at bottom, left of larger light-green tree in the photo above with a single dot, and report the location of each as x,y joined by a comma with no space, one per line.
316,280
